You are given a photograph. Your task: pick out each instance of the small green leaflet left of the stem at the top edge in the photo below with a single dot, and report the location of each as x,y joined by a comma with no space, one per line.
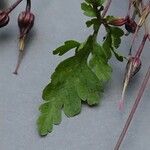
88,10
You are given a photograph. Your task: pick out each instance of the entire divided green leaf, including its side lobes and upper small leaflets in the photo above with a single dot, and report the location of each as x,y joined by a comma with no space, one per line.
81,77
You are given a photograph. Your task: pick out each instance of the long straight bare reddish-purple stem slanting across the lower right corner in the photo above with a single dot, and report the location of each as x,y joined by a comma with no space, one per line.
135,105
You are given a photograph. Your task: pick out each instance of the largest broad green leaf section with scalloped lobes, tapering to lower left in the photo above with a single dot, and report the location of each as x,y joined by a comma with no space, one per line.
72,82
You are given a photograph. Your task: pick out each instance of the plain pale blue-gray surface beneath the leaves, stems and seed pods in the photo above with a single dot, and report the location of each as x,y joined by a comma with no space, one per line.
95,128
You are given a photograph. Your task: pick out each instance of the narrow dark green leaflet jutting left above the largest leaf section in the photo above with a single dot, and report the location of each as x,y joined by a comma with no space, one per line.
68,45
